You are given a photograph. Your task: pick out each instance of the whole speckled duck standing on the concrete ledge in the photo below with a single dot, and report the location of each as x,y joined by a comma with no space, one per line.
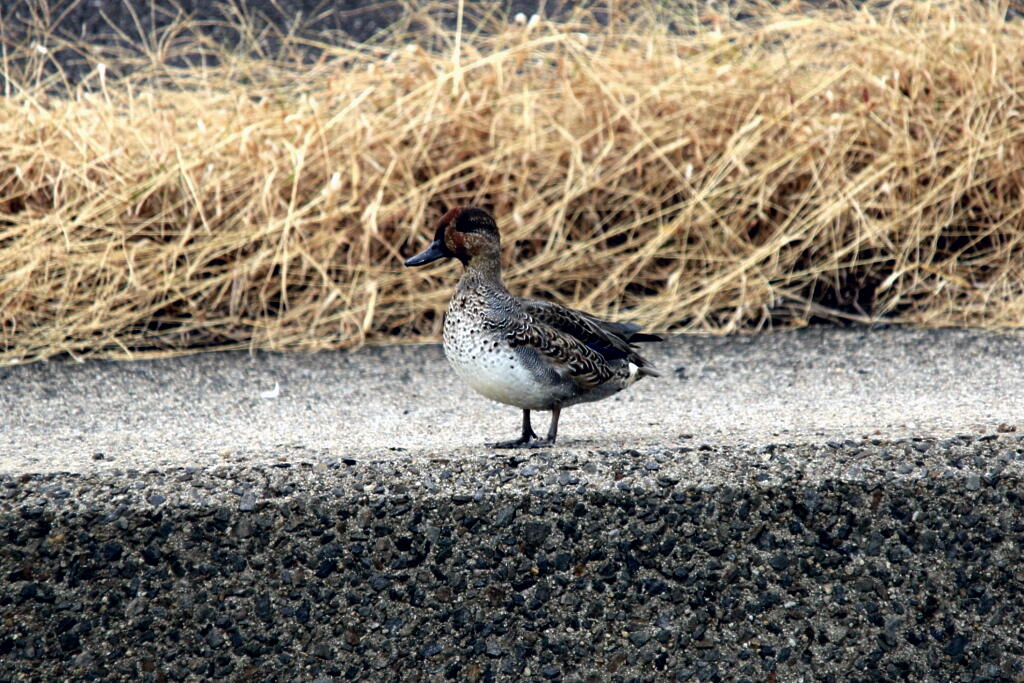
531,354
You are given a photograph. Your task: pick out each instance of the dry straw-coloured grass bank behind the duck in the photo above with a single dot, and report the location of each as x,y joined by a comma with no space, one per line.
840,164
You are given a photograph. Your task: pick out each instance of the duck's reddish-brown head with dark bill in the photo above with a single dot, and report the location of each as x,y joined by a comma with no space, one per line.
467,234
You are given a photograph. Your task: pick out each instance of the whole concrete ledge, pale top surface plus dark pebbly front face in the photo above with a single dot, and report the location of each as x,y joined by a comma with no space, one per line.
789,547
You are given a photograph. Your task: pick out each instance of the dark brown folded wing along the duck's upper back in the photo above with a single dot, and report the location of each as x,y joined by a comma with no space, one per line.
612,340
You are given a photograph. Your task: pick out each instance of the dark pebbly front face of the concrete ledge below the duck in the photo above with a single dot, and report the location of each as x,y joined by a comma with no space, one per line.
861,561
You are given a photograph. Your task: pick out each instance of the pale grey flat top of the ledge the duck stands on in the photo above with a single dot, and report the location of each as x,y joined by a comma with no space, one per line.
806,387
